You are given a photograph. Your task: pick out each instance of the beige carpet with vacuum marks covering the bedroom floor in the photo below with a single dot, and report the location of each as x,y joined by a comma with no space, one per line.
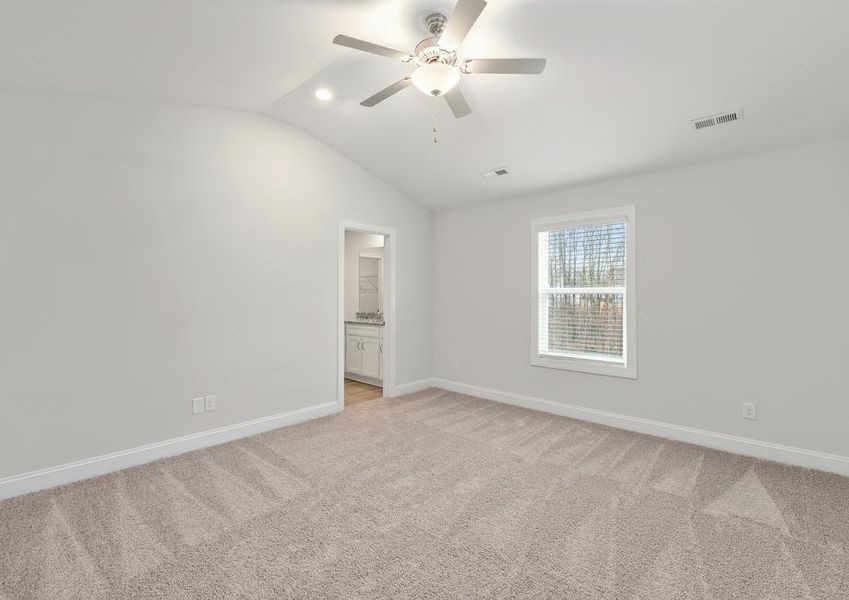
436,495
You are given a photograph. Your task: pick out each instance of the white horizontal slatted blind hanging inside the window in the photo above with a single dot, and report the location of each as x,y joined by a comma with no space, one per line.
581,291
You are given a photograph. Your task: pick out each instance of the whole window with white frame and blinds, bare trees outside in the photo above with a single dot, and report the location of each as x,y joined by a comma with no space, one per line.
582,295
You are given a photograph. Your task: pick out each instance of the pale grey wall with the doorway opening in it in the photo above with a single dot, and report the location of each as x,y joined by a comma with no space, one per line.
150,254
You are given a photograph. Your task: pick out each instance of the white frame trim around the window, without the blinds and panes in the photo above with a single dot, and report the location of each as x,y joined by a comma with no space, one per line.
588,365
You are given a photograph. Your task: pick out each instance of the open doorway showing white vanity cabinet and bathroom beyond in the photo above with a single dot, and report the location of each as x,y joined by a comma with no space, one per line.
366,320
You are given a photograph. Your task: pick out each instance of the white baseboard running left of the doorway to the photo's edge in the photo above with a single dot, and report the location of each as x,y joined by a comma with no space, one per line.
25,483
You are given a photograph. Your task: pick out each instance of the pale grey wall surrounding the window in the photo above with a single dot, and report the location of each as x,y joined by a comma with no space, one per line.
742,290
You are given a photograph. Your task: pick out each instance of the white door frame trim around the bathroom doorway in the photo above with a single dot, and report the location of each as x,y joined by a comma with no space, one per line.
388,307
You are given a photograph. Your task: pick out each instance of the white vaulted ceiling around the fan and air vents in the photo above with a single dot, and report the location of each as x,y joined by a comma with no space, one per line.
623,79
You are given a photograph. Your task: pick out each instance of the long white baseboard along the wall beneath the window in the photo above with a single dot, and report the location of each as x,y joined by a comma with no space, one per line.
801,457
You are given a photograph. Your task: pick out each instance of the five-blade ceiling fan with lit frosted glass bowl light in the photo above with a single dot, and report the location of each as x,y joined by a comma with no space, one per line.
438,68
